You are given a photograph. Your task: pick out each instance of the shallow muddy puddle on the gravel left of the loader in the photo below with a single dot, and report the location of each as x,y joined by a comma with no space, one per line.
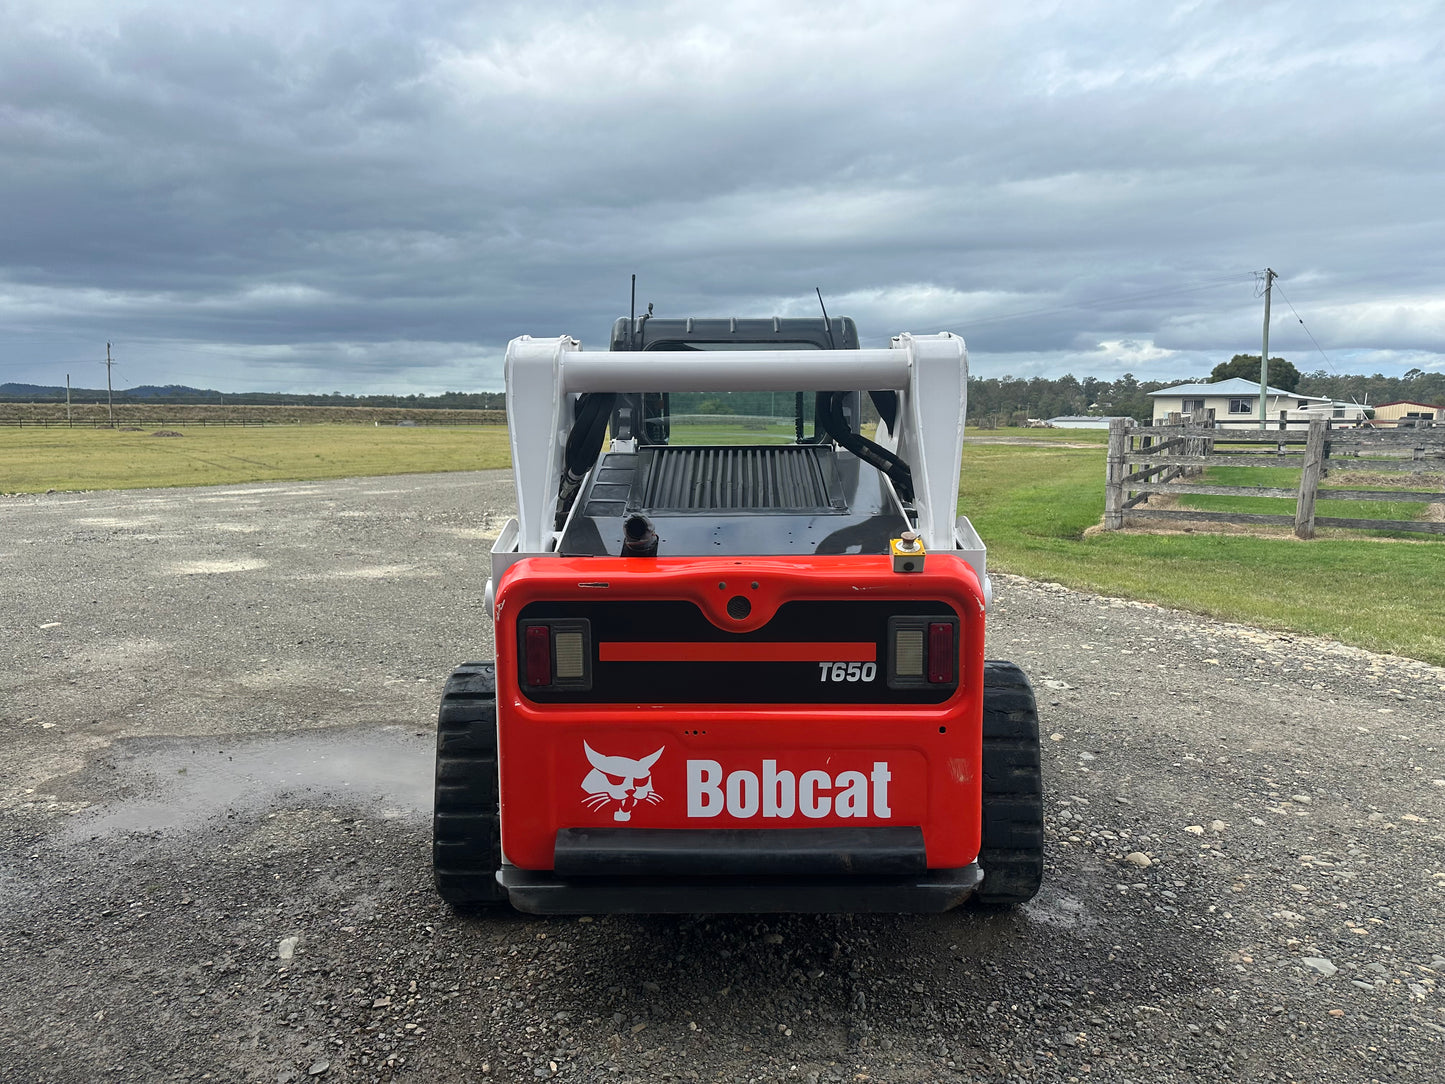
189,781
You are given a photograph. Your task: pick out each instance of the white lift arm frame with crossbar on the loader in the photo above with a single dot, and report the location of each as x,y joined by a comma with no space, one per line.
928,372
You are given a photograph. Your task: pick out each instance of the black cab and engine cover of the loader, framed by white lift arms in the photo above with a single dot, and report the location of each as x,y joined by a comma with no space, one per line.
735,472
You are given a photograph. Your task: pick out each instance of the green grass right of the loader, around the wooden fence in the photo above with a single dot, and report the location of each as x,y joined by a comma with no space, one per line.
1034,505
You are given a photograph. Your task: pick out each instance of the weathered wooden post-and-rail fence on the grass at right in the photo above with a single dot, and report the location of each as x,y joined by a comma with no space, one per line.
1161,460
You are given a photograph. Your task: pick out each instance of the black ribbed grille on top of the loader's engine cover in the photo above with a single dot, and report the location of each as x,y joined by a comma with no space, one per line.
801,479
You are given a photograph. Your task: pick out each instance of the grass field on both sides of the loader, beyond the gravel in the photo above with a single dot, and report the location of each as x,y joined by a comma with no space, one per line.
1031,501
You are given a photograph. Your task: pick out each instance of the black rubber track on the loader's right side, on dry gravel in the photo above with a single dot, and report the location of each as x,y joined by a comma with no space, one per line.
1012,853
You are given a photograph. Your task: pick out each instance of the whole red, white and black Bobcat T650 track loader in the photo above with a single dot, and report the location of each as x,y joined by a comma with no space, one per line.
739,657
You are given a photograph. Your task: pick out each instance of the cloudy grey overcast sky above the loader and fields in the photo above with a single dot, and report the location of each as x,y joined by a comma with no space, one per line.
375,197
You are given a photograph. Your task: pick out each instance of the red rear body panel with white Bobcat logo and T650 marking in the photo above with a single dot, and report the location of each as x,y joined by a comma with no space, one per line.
816,749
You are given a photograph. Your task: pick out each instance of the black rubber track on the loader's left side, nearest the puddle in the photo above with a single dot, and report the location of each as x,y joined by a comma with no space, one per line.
466,827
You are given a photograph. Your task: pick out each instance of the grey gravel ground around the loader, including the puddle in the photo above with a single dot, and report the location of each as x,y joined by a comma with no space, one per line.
215,791
